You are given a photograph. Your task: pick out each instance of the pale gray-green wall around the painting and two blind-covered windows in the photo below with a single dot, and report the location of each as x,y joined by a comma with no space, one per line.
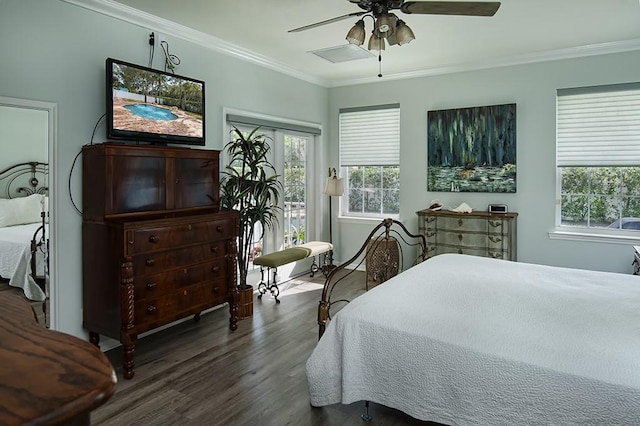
533,89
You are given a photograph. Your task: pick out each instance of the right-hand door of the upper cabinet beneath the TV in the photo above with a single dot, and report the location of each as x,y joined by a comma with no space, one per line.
195,182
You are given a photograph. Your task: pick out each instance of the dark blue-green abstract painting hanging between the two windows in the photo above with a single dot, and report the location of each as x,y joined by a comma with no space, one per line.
472,149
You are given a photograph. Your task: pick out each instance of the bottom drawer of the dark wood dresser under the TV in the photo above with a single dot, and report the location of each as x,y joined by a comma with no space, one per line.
170,306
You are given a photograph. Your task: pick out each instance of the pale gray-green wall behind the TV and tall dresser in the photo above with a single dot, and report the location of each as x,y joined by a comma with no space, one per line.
56,52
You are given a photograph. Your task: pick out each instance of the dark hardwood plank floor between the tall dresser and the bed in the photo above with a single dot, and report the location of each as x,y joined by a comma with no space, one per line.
204,374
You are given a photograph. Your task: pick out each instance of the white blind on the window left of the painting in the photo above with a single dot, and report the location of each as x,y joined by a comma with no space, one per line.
370,136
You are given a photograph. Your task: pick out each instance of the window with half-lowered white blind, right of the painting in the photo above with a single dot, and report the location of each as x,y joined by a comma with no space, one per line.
598,156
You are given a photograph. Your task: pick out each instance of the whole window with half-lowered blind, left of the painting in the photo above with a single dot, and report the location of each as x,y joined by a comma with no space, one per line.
370,161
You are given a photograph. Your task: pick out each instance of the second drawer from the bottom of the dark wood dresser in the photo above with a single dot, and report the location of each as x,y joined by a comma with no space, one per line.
167,281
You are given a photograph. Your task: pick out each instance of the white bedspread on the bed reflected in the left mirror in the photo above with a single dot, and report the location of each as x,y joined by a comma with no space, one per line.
15,259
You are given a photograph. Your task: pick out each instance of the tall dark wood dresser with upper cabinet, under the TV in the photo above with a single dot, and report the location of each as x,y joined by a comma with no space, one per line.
156,246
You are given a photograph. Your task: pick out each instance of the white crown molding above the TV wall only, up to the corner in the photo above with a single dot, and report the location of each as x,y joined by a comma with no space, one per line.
146,20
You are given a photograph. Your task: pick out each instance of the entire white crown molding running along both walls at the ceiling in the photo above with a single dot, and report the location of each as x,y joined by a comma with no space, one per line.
154,23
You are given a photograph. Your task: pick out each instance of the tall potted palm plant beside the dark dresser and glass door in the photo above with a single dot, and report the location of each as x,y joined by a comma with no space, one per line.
250,185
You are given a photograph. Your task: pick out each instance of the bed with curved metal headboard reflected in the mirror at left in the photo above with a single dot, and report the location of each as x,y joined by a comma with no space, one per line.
24,228
